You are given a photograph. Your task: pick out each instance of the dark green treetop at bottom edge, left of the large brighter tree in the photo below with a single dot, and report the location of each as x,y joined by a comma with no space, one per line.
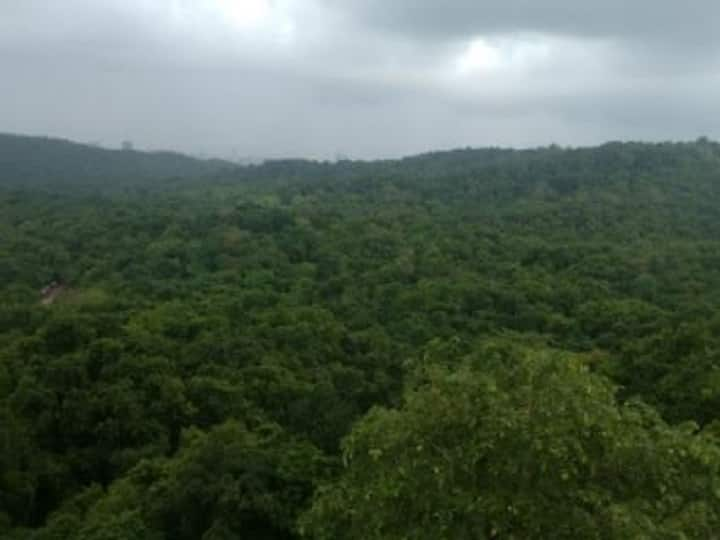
227,482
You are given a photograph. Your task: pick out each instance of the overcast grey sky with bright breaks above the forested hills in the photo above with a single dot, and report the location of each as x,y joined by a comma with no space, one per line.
364,78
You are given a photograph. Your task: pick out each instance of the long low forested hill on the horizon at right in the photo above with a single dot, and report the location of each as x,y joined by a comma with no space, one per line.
482,176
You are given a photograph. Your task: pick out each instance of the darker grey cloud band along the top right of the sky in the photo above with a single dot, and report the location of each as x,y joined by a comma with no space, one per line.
693,22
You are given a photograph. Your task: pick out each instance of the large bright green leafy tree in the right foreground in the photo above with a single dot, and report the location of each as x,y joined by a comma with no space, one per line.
521,445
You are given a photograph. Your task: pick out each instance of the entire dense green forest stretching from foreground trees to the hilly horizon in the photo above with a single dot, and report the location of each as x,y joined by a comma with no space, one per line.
475,344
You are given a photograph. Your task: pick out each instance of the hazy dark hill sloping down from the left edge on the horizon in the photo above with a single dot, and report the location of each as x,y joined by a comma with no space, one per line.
40,162
